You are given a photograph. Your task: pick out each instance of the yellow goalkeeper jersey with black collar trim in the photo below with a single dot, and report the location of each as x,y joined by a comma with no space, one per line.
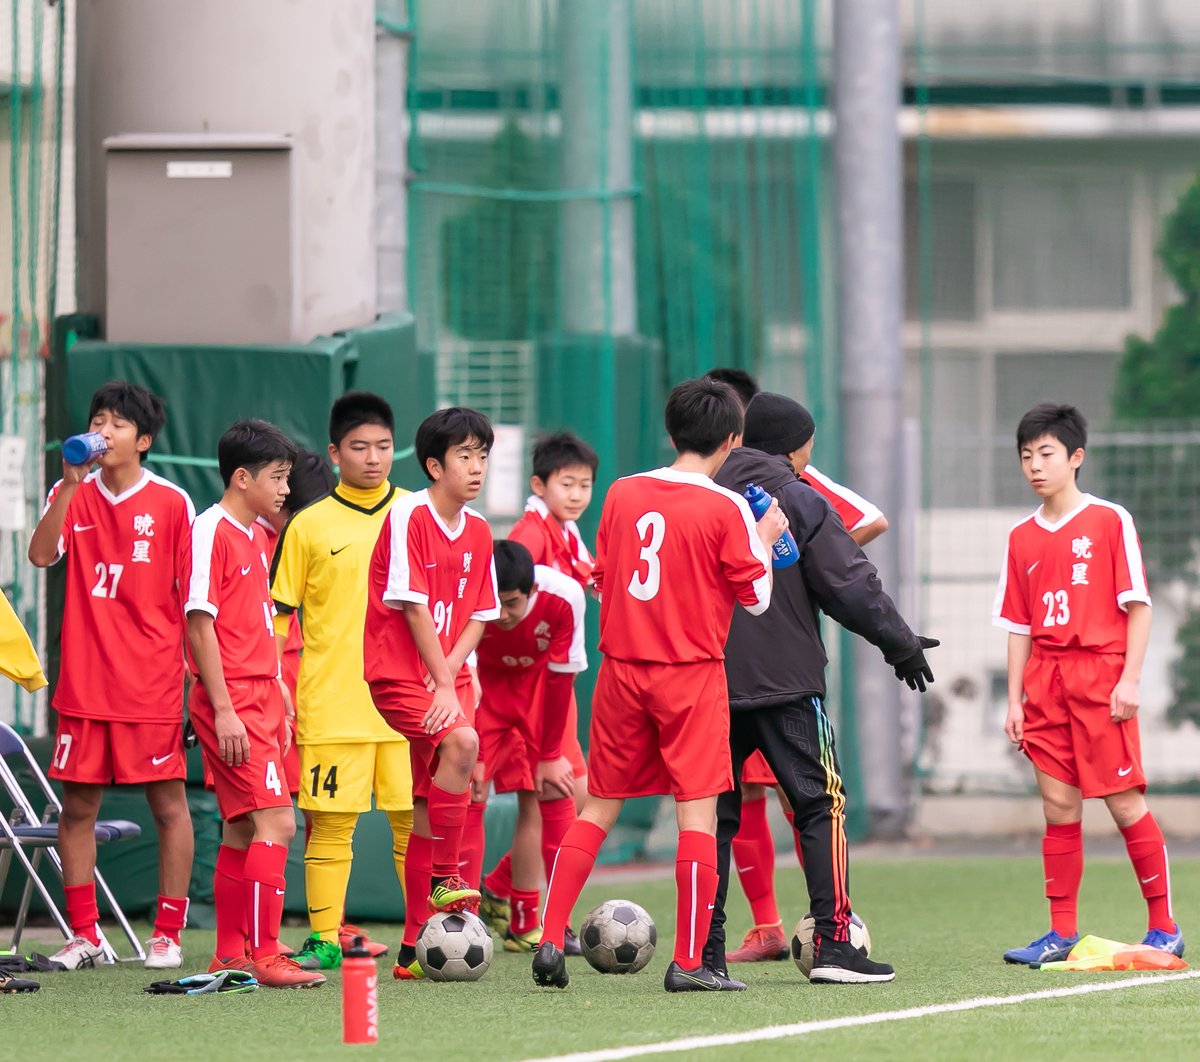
321,568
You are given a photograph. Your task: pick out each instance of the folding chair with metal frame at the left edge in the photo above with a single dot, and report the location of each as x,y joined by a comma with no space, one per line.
27,832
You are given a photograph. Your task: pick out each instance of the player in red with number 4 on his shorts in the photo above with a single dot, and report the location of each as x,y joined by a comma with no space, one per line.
237,706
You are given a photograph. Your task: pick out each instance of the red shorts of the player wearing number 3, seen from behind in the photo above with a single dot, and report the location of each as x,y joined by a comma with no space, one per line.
661,729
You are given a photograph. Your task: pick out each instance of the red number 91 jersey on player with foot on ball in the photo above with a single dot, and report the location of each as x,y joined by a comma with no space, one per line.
418,559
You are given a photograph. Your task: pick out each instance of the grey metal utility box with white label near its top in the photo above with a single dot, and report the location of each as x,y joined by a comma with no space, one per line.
202,243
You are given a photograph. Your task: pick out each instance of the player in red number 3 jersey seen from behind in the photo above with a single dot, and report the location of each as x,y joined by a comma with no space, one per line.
675,553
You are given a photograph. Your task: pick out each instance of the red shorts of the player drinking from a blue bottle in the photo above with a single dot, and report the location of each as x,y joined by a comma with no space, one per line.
99,752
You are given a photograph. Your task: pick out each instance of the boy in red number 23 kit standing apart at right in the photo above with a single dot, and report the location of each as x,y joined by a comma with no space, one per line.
1075,602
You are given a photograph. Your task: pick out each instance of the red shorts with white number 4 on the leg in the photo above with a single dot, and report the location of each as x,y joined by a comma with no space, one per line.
260,782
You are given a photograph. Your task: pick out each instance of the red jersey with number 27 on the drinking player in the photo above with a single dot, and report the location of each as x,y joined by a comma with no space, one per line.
123,622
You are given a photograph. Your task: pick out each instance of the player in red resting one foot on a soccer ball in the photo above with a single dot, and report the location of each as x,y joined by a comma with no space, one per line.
431,590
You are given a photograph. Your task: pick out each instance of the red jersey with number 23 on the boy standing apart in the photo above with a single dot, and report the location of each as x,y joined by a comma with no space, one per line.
1069,585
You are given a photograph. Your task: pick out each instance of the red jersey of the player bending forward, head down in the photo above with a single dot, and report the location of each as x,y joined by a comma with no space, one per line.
550,638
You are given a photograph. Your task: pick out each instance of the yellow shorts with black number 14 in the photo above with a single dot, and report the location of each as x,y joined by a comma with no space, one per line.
343,778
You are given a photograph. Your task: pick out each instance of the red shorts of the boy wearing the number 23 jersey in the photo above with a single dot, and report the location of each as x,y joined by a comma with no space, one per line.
1069,731
